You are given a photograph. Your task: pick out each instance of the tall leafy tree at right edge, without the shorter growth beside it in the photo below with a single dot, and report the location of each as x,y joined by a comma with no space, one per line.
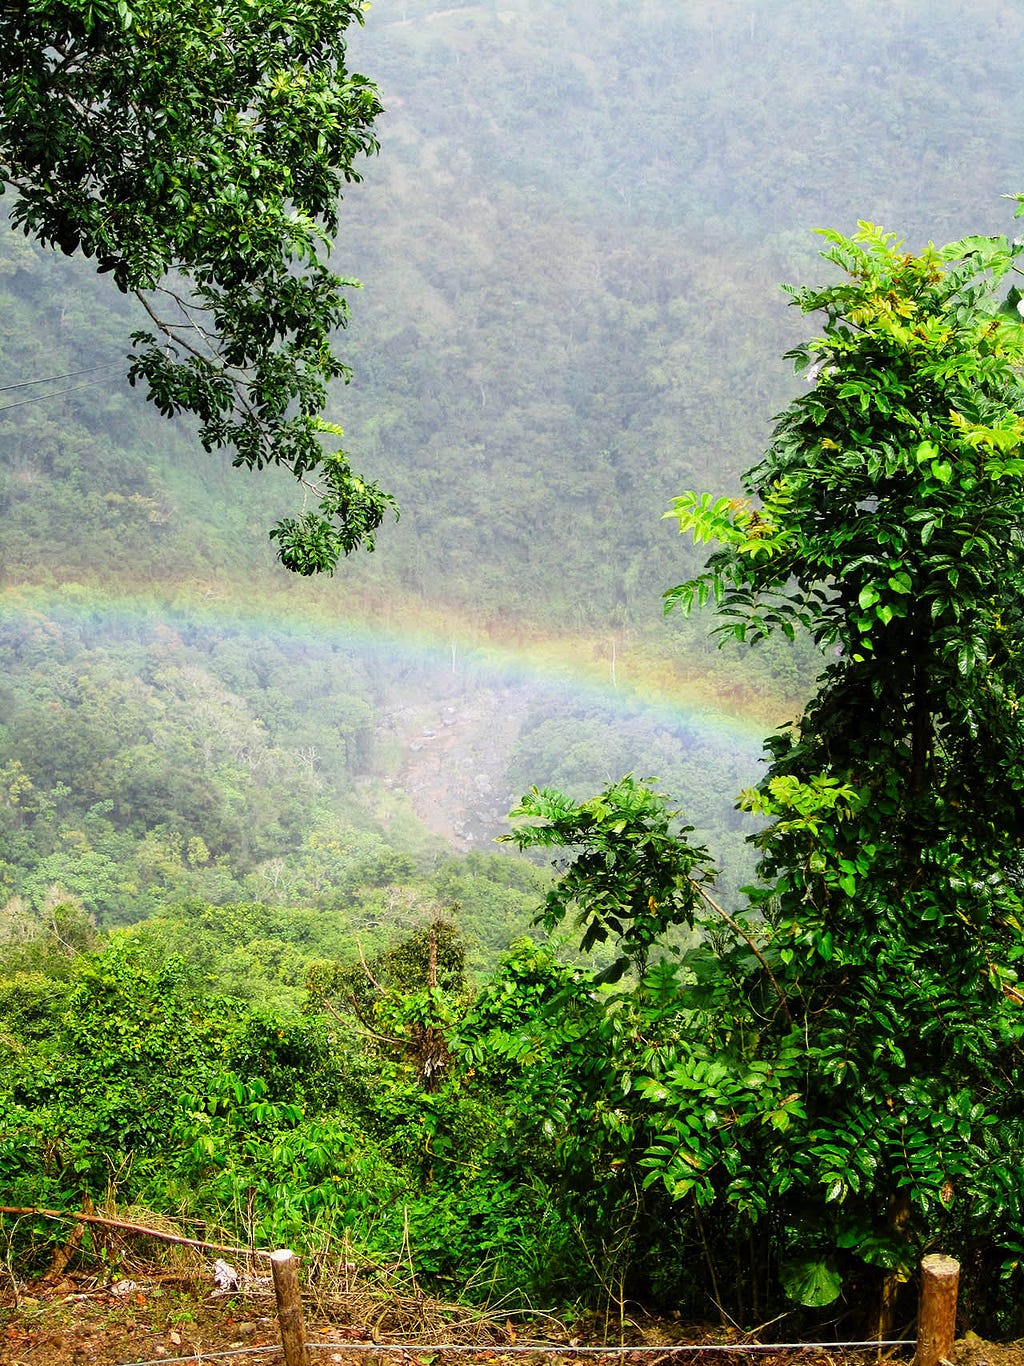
888,522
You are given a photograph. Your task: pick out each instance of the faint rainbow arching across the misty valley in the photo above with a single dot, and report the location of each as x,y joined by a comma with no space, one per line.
618,675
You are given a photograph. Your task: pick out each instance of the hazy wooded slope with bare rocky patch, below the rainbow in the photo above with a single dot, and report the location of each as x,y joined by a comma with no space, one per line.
147,759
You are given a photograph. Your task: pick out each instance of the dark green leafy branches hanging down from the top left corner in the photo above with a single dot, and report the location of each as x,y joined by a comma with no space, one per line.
199,154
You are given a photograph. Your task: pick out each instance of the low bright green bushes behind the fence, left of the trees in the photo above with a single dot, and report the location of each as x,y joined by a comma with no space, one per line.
352,1113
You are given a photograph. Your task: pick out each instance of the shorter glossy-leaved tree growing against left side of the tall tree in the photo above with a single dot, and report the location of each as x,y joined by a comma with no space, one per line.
668,1072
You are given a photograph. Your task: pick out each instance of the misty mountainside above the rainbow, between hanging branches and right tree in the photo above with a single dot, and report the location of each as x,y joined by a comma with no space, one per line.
573,248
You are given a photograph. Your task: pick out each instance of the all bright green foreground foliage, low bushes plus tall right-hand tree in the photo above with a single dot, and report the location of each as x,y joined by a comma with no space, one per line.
767,1109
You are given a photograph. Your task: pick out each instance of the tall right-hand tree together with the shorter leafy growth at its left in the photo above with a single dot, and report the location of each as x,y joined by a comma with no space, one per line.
836,1083
